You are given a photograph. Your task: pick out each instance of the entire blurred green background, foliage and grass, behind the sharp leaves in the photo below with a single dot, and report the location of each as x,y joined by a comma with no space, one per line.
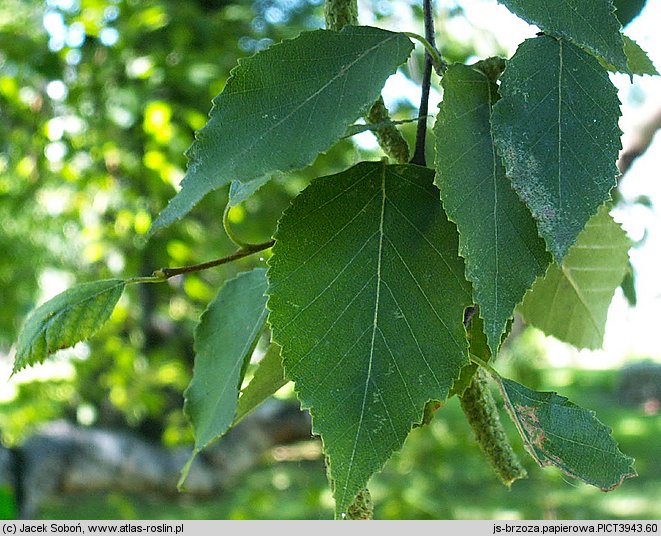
99,99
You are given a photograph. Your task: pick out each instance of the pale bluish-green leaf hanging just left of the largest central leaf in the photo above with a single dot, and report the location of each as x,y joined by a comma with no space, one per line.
224,341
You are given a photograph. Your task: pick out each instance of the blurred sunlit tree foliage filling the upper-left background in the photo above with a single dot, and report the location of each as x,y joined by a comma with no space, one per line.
99,100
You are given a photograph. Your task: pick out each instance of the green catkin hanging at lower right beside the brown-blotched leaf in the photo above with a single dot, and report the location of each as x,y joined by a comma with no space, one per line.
482,414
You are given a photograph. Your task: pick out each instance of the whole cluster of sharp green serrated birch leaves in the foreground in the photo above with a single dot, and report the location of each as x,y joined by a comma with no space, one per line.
374,268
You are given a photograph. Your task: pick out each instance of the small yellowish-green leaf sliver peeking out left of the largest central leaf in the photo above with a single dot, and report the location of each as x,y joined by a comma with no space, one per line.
268,378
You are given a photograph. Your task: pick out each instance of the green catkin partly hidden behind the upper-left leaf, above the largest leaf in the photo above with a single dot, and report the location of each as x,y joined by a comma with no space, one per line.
338,14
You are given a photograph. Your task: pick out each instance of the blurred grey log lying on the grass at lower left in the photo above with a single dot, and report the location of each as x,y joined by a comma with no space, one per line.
66,458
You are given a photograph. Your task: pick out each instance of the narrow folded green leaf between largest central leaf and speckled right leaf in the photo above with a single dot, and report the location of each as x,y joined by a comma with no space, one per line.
497,235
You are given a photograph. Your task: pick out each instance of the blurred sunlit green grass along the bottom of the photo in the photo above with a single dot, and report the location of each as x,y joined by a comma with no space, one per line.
439,474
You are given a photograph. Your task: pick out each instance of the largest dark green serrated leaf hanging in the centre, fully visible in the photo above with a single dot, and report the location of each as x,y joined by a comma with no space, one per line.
367,296
